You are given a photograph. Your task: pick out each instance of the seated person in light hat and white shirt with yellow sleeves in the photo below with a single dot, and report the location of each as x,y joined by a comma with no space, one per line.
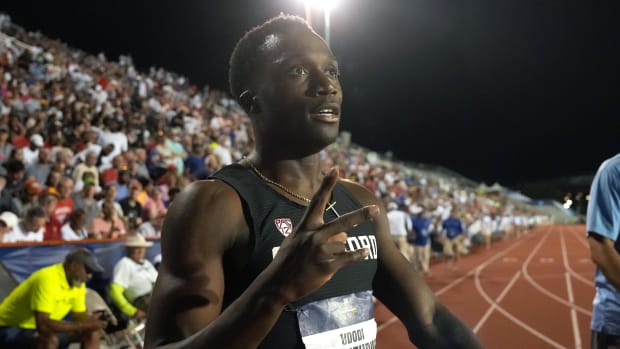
133,279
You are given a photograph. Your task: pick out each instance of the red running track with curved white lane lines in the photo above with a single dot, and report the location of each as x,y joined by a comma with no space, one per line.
530,292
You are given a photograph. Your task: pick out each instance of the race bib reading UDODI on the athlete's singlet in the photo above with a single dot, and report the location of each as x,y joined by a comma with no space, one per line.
345,322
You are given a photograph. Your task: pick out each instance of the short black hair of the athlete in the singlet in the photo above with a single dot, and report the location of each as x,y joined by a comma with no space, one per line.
246,54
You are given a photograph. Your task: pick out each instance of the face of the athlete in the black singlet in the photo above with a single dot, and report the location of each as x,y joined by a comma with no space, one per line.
299,94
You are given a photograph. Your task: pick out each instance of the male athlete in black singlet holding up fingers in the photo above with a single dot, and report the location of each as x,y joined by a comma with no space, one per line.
272,253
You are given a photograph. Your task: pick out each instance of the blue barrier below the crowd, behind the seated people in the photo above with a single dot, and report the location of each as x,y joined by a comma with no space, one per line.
23,259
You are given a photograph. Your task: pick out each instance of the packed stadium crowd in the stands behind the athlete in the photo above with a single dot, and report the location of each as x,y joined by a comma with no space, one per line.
92,148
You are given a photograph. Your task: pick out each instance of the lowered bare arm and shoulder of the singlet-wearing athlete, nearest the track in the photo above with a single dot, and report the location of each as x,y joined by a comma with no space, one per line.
399,287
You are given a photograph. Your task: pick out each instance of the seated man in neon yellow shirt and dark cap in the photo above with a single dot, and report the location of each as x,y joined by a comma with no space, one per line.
32,315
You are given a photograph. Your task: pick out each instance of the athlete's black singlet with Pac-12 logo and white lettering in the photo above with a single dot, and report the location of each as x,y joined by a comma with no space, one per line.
268,213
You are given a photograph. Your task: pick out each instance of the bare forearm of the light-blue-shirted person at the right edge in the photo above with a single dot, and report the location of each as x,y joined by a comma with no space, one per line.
605,257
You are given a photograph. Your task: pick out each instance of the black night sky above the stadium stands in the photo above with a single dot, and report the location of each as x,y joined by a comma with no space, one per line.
508,91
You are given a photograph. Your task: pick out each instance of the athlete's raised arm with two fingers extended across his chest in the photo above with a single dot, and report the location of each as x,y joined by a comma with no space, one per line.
205,233
